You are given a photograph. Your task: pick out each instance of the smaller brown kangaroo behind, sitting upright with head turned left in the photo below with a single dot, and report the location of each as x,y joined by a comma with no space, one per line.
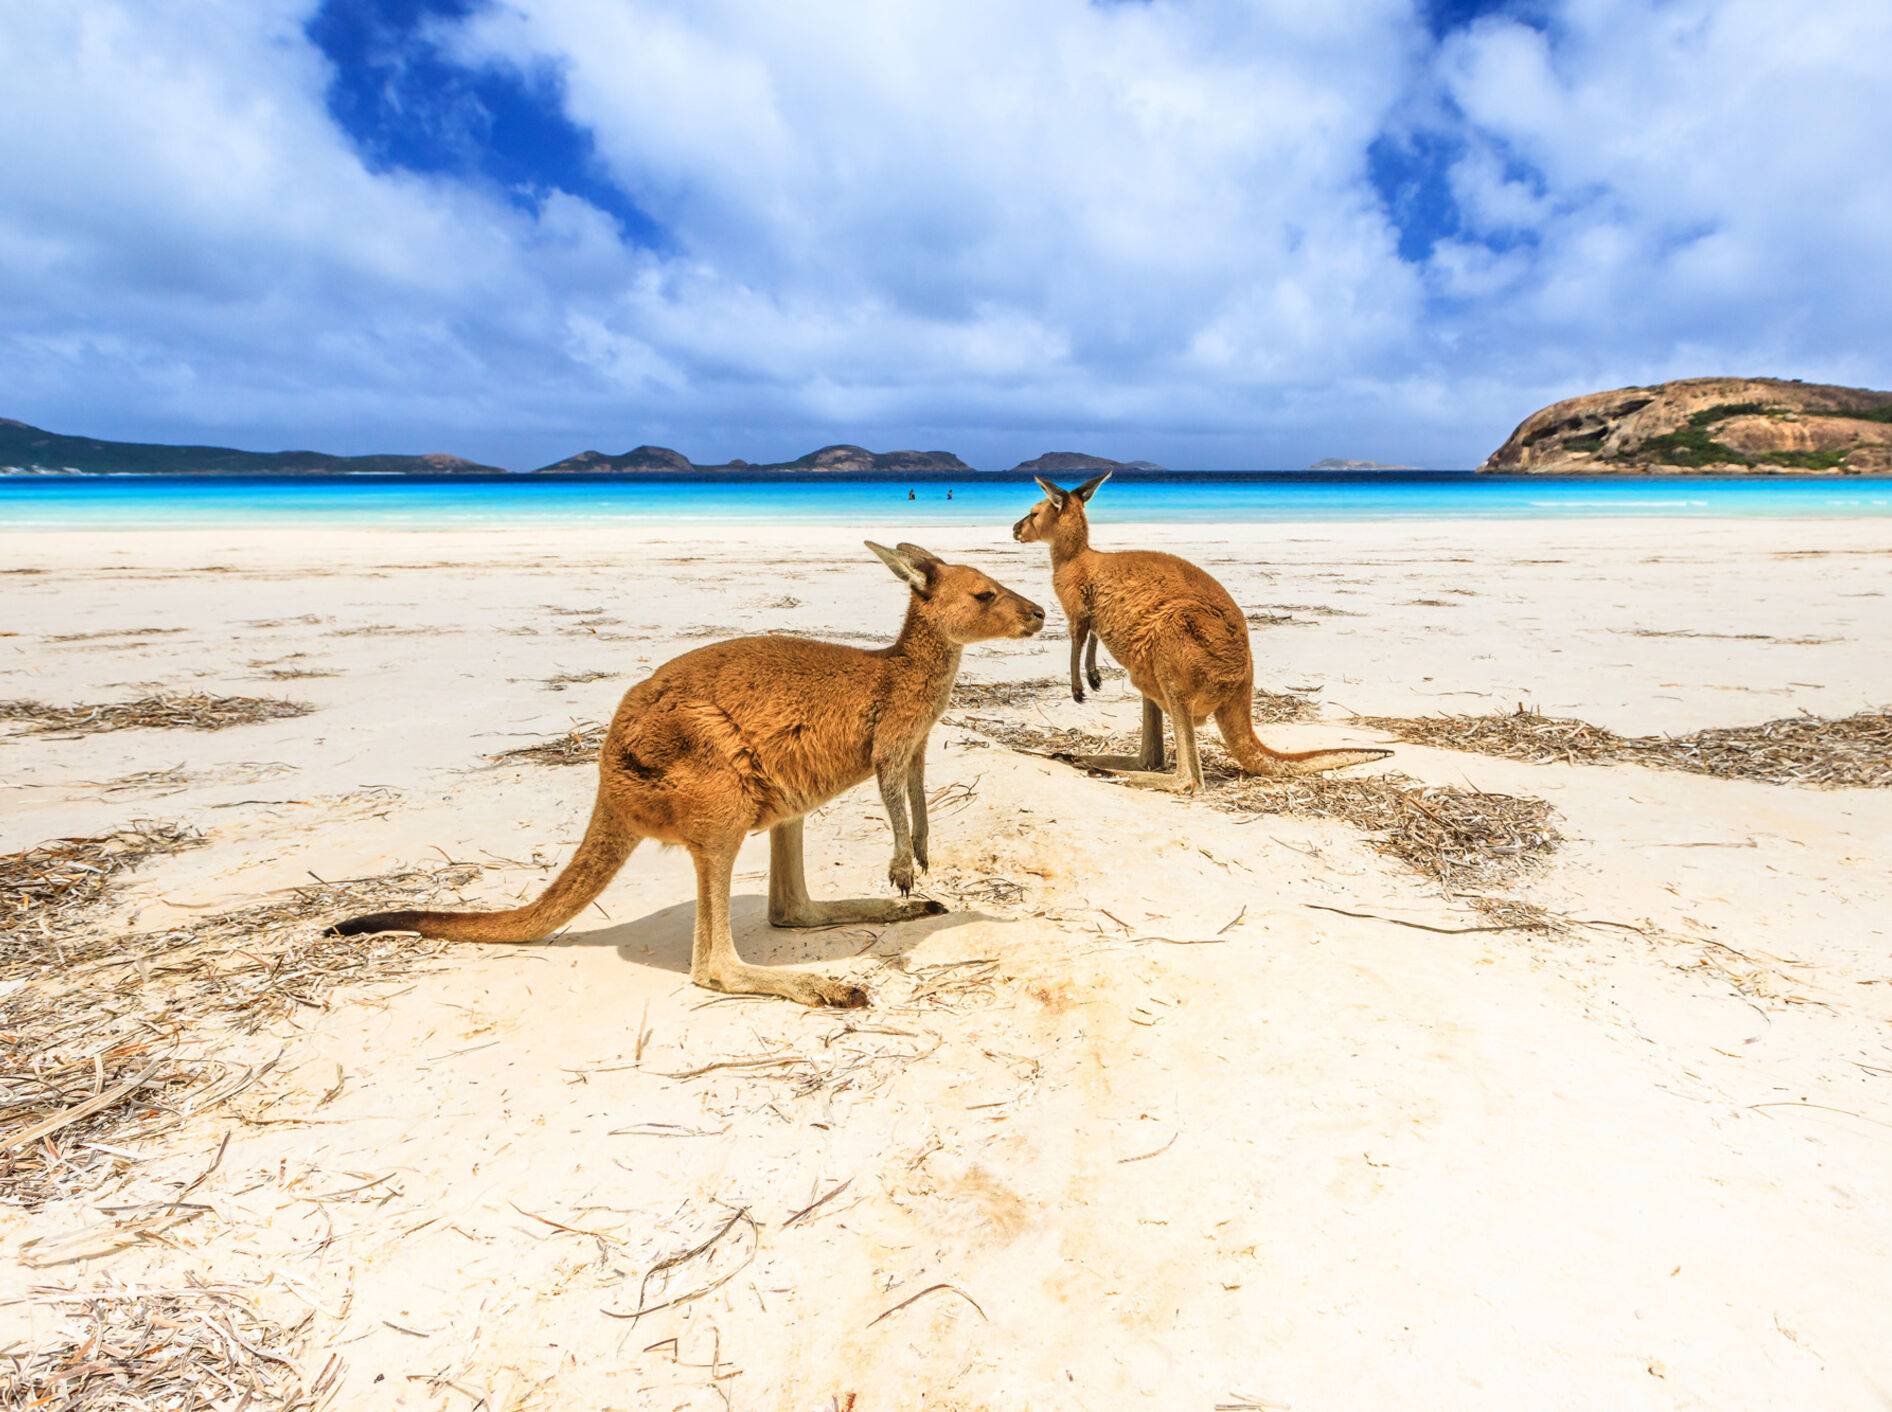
1178,633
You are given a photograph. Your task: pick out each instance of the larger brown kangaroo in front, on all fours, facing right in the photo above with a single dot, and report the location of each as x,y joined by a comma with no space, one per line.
752,735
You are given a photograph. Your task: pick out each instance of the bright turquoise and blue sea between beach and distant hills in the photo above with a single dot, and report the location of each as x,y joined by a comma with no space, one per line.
166,503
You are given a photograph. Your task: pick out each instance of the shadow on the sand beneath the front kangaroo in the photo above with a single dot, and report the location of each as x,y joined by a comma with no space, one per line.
665,940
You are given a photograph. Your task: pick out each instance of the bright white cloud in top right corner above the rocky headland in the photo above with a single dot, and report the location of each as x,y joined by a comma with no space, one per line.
1717,179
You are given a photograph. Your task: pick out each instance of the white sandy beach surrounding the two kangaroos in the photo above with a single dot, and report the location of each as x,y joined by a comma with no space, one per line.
1183,1104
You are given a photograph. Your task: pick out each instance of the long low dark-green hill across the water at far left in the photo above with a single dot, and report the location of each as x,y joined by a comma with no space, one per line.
29,450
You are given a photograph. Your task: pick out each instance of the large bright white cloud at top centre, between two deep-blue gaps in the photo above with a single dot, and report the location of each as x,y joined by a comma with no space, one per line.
1125,177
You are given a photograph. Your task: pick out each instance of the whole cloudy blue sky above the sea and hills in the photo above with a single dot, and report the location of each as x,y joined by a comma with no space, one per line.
1202,234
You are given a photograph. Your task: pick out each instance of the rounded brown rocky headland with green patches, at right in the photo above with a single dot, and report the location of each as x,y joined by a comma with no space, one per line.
1734,425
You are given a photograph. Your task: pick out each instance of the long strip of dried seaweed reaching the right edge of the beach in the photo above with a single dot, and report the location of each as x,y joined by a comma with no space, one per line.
1798,750
